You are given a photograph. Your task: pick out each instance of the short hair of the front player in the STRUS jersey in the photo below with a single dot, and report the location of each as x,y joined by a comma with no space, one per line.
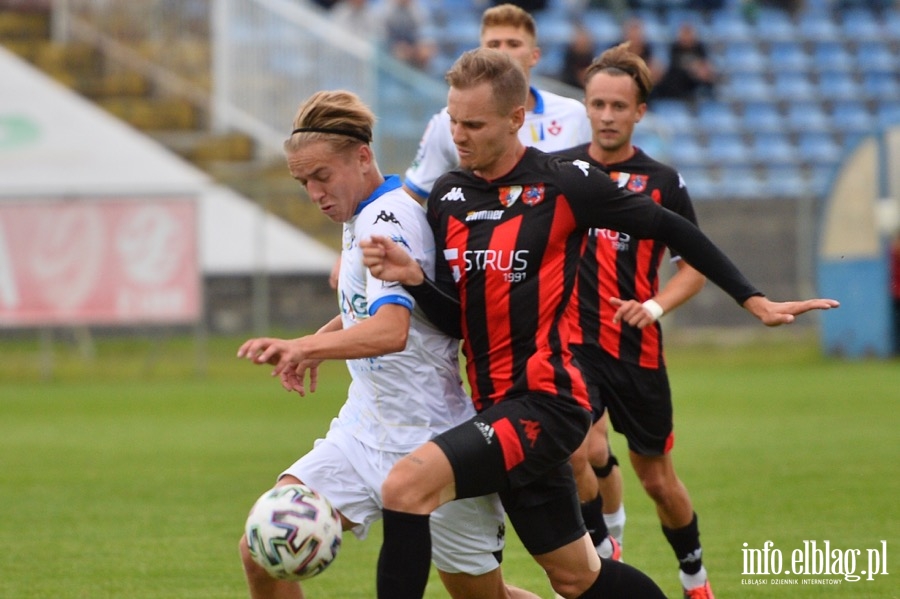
509,87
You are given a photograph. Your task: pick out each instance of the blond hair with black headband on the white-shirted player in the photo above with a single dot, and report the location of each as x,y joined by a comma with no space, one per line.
339,117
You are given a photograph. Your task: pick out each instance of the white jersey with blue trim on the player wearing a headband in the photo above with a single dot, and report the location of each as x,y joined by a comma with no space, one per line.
398,401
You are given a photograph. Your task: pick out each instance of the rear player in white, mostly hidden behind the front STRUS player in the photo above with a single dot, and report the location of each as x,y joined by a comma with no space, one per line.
552,122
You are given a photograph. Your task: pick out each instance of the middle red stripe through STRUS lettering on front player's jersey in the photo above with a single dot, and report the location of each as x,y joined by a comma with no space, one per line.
503,244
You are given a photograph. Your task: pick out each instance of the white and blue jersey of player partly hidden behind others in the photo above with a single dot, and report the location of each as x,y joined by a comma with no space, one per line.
556,123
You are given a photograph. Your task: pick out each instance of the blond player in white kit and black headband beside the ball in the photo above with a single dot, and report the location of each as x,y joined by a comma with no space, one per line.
406,386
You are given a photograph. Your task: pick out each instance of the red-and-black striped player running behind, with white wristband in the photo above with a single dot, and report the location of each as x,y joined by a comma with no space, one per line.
615,334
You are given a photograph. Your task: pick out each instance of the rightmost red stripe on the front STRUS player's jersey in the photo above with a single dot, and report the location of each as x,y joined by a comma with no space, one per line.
552,335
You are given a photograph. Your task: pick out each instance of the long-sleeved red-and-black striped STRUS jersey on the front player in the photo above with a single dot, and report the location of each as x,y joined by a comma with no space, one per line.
510,248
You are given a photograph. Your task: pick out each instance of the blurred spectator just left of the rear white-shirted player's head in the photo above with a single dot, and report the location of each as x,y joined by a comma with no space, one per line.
407,29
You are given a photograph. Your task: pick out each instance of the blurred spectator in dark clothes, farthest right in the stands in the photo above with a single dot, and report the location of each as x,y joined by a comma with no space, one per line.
691,74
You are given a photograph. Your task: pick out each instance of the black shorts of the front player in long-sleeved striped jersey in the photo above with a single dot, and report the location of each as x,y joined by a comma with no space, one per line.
520,448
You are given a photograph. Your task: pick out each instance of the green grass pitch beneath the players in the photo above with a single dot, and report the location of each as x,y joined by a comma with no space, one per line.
128,476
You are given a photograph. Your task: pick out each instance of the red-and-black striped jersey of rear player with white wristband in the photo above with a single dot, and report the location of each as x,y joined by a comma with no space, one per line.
615,264
